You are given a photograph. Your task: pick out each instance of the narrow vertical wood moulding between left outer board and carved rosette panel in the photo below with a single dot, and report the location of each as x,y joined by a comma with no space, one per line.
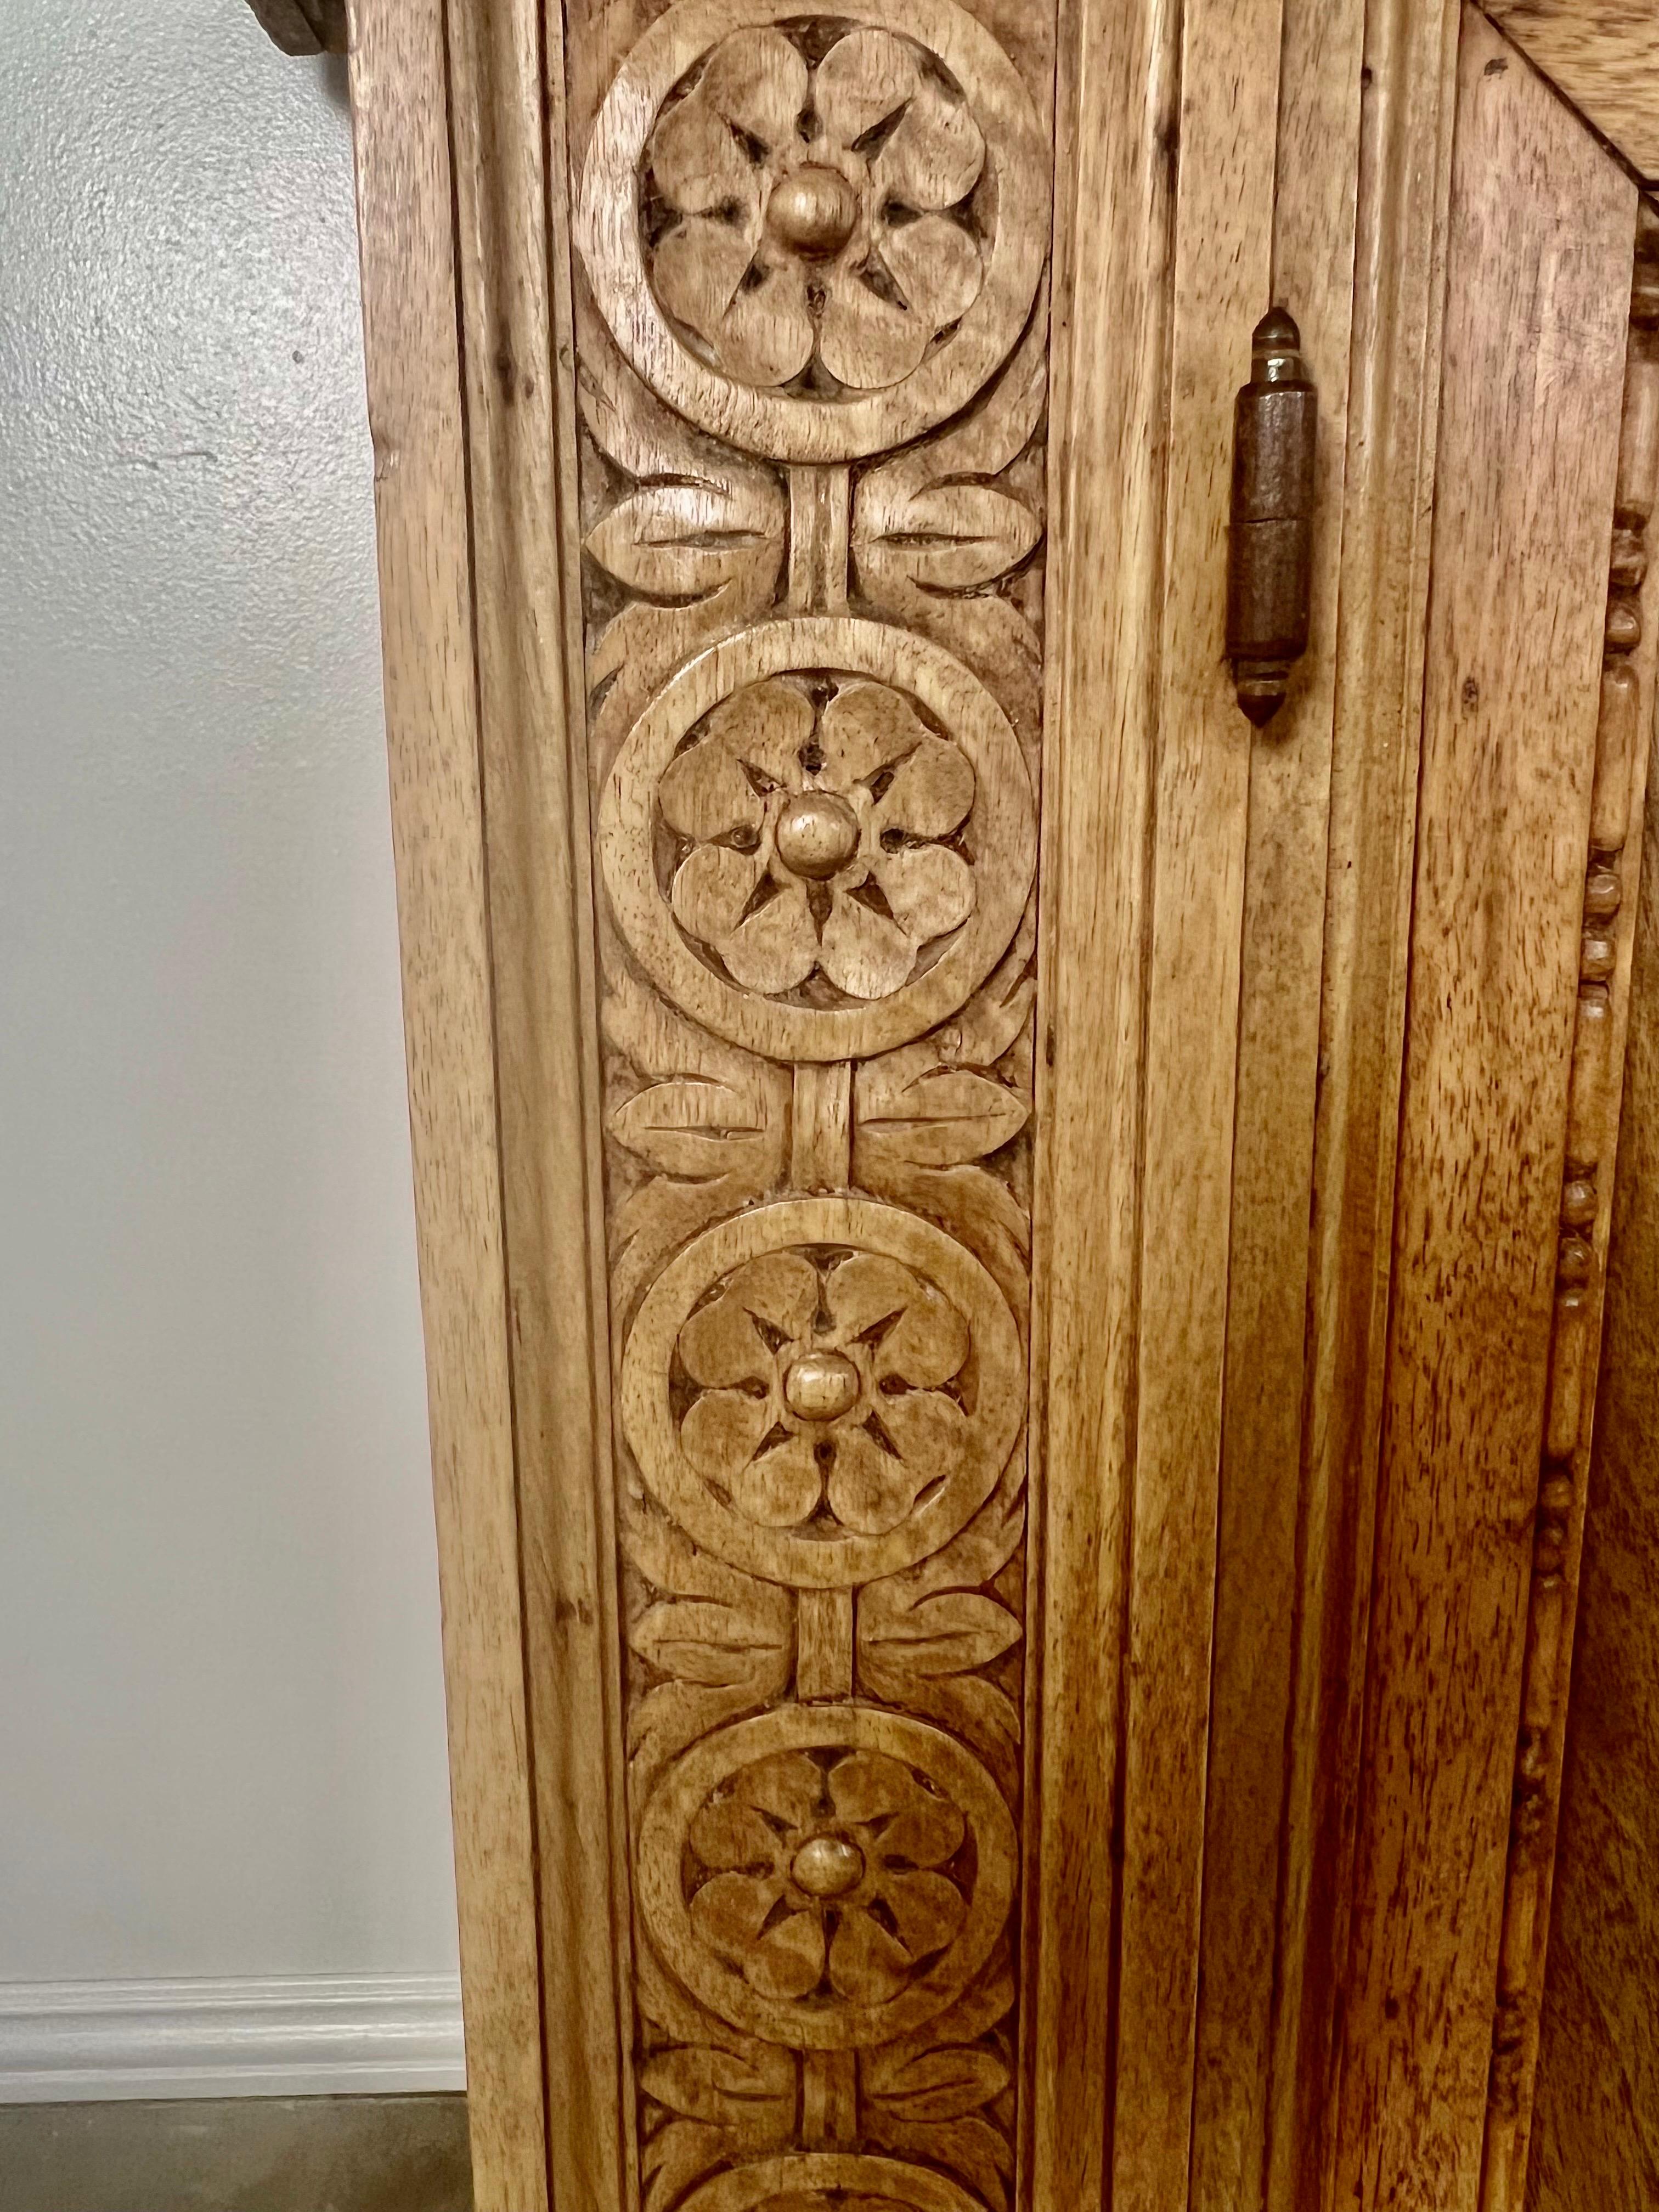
521,428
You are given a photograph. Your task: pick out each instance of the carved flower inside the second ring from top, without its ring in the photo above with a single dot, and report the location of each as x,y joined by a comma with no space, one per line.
815,837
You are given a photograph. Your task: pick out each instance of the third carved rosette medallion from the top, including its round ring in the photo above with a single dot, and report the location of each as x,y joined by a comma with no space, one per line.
824,1390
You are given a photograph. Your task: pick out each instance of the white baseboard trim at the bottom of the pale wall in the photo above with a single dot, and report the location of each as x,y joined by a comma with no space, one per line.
315,2036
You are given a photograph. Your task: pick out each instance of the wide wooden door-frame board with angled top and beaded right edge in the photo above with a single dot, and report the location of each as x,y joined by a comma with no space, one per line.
1538,716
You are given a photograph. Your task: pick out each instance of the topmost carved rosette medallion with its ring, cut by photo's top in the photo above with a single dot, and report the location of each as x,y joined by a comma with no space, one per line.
815,236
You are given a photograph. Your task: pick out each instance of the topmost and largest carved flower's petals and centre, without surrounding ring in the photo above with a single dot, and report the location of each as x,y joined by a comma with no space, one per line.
808,209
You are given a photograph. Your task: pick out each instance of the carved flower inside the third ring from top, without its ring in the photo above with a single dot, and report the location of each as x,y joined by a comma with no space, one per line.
824,1390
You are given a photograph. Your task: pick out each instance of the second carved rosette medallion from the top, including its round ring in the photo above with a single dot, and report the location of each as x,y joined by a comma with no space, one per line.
826,846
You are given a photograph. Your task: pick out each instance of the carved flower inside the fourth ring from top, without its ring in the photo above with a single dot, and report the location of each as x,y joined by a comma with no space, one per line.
828,1875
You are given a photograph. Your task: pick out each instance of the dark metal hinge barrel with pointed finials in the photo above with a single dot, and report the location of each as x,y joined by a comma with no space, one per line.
1273,519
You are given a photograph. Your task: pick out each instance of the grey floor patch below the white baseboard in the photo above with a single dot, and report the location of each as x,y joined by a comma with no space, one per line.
238,2156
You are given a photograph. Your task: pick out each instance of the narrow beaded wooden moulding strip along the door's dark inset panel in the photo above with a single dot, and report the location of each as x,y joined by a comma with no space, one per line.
1594,1118
